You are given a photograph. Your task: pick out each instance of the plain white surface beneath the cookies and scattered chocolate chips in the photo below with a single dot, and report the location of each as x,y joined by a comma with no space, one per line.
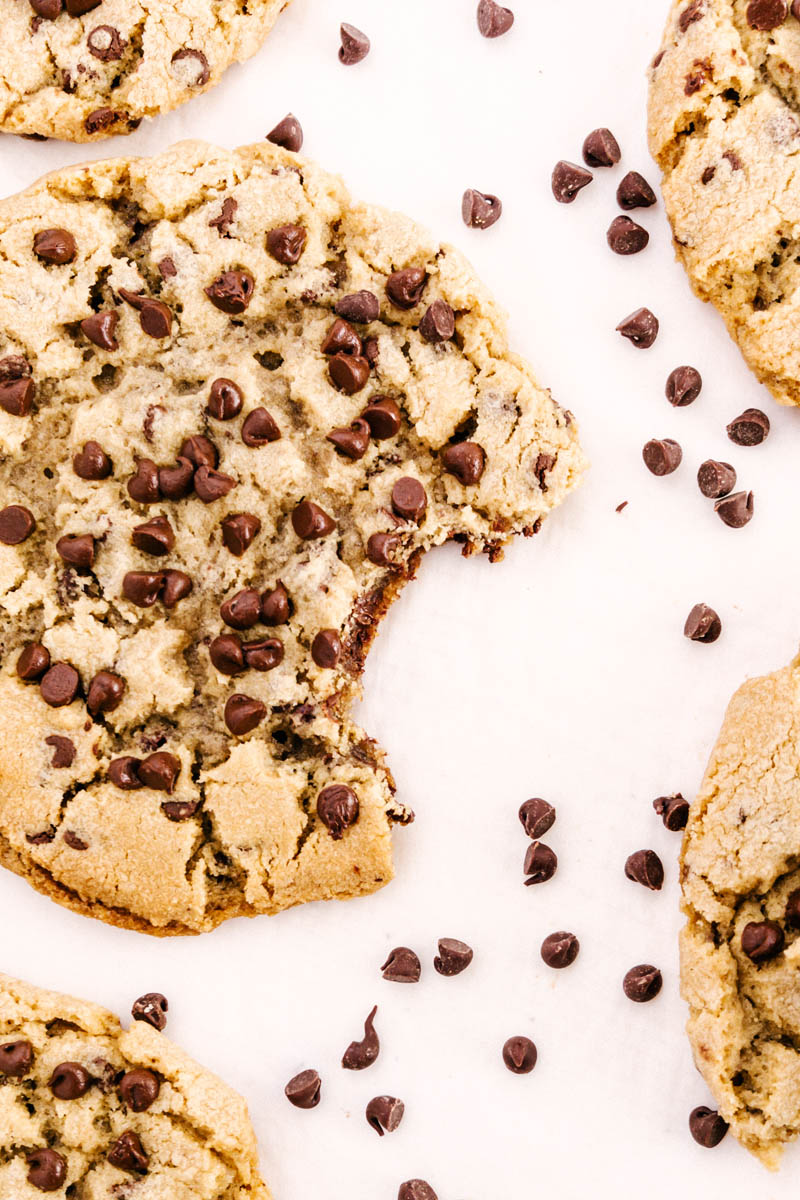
562,673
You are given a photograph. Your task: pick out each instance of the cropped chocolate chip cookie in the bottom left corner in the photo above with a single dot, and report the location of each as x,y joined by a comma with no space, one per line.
94,1111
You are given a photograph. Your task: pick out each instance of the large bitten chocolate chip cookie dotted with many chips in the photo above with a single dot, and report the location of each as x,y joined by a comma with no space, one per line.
236,410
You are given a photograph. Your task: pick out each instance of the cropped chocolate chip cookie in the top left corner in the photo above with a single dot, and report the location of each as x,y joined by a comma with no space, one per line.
83,70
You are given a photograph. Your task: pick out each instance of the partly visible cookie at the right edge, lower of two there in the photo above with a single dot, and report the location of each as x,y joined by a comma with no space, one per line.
741,953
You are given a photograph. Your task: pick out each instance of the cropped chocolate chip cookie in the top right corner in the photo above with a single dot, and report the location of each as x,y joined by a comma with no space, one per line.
725,95
